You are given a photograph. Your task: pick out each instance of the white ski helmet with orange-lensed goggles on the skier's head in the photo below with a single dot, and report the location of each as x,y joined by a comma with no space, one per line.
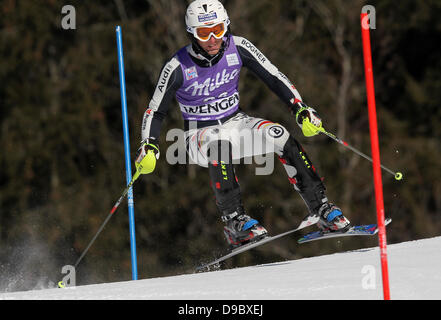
206,15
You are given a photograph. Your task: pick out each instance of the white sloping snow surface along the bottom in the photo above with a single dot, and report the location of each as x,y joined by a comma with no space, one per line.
414,273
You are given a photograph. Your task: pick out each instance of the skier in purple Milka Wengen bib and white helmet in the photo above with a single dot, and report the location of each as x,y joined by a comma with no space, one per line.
204,76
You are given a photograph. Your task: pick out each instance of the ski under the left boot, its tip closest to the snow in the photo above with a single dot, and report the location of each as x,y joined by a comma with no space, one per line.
306,222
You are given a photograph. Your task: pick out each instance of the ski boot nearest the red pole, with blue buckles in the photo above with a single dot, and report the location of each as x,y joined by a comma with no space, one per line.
332,219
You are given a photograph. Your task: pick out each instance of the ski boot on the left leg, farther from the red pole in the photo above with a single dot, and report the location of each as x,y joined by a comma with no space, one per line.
241,229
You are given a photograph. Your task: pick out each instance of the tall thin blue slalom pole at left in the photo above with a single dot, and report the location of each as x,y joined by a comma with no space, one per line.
122,83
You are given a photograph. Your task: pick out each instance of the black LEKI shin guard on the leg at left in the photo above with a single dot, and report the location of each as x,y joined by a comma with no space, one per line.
223,178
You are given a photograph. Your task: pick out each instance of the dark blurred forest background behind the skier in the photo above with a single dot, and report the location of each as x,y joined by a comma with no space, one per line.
61,143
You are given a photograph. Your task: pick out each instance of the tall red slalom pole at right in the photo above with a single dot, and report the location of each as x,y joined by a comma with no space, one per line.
375,152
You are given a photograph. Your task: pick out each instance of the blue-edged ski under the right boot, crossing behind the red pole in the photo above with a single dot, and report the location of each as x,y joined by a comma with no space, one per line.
361,230
